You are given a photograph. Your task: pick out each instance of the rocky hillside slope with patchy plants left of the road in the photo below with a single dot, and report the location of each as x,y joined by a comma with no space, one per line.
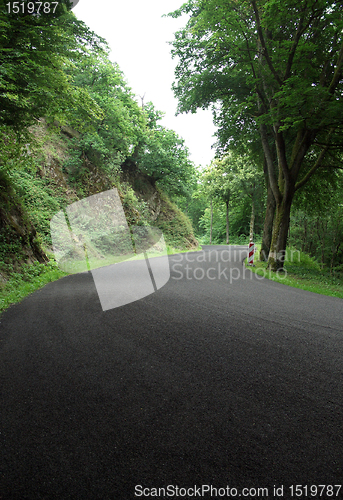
30,196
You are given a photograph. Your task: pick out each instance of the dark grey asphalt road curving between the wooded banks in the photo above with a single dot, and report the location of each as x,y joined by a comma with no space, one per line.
218,379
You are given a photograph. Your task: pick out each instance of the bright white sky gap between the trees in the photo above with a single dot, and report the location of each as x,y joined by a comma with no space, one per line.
138,35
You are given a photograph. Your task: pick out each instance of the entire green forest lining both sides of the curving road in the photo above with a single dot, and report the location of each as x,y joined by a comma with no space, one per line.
70,126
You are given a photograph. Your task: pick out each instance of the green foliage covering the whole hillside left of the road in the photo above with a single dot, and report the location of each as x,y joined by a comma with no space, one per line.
54,67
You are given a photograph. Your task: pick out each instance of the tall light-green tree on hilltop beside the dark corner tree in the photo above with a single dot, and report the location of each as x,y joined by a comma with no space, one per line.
108,139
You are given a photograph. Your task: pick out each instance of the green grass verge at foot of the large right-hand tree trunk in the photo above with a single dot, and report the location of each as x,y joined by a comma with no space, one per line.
304,272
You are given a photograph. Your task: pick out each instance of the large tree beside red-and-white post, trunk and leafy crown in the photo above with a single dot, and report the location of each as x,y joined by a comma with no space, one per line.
274,67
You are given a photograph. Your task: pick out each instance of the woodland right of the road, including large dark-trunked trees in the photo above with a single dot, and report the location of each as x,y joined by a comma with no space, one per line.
272,74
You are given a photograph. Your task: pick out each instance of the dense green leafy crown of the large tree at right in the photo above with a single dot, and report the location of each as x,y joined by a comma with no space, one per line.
228,51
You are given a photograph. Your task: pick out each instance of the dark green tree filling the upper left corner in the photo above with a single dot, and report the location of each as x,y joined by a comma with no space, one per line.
35,51
